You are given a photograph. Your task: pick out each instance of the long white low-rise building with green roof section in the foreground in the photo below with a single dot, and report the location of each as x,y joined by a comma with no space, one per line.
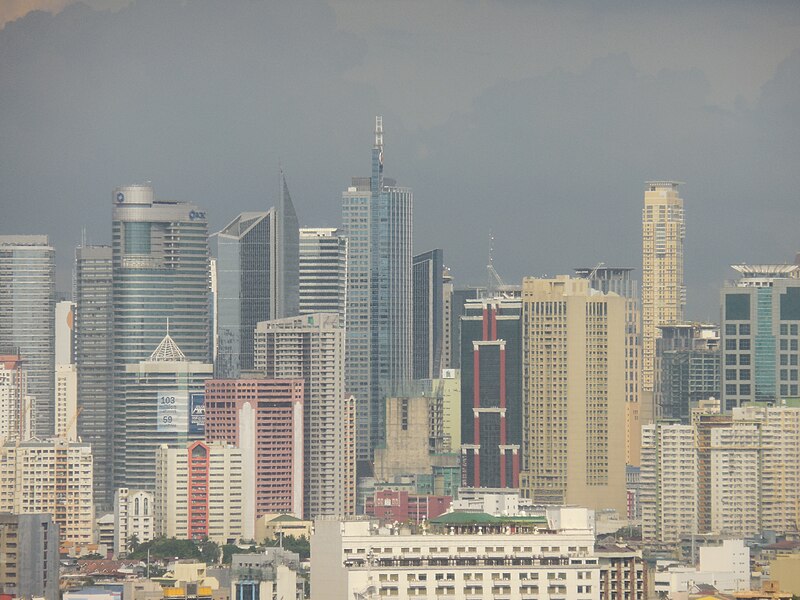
458,555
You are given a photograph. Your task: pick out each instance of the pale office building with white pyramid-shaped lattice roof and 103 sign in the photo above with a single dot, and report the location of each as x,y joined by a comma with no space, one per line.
164,397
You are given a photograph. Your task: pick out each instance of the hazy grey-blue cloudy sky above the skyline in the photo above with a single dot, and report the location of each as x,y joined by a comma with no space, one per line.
536,122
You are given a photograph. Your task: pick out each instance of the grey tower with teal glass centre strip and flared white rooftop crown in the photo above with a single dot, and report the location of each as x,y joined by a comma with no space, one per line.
759,330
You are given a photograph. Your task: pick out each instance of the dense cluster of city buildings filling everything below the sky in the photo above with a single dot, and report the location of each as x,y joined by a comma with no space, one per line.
276,411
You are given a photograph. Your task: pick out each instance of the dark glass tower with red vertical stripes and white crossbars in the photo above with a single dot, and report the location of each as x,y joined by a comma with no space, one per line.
491,392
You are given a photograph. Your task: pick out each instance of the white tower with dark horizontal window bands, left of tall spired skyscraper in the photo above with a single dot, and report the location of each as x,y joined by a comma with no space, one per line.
323,271
